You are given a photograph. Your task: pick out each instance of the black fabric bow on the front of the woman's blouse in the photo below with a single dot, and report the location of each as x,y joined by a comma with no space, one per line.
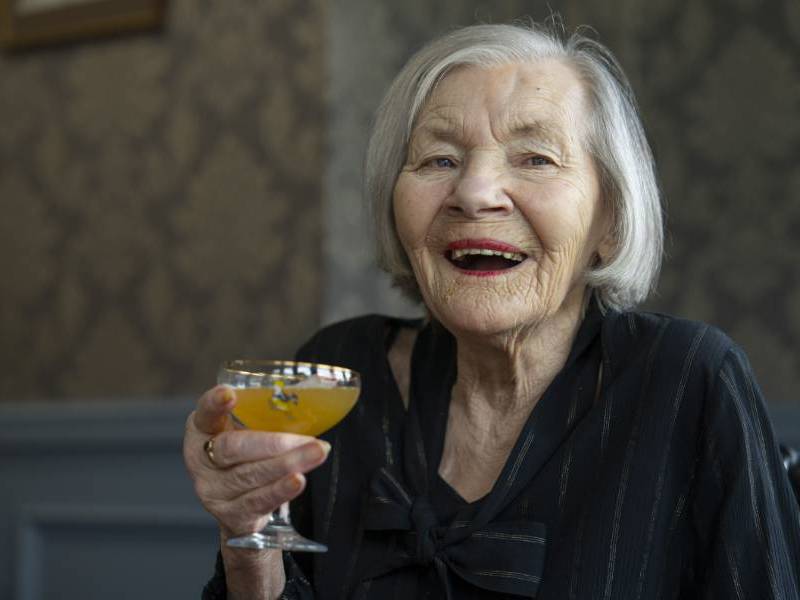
505,557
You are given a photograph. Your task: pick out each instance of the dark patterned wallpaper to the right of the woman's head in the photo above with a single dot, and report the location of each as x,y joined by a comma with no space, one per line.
719,86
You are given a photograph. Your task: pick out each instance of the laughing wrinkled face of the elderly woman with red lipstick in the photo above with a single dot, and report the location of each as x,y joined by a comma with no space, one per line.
498,206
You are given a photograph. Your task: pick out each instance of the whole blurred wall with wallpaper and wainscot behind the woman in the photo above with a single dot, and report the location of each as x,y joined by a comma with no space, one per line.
190,192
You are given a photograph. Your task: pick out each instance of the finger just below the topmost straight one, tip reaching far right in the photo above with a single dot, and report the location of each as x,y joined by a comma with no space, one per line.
248,476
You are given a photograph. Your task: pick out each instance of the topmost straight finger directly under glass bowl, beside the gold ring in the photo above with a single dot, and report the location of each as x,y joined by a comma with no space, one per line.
243,446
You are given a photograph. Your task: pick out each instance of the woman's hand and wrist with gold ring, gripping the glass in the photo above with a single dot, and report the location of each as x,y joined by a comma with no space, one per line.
247,476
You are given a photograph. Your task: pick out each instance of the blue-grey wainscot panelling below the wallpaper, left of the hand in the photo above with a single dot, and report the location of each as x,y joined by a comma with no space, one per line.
96,503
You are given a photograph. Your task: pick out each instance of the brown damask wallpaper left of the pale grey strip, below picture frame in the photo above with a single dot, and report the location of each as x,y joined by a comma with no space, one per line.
160,201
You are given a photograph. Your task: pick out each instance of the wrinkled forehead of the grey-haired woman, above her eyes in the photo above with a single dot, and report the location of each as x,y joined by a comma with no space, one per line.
545,99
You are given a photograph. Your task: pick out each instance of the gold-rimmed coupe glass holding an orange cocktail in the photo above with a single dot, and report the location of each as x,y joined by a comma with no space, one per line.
293,397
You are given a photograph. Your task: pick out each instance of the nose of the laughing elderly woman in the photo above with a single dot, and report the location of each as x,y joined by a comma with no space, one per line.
480,193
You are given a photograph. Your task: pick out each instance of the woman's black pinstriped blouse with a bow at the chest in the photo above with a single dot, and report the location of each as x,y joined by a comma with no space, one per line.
647,470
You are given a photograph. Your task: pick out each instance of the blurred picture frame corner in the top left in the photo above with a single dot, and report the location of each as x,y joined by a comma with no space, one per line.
32,23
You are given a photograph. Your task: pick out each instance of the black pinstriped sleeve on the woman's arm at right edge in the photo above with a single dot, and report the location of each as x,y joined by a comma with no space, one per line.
745,514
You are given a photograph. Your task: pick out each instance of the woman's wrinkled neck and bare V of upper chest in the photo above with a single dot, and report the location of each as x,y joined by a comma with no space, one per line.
500,380
